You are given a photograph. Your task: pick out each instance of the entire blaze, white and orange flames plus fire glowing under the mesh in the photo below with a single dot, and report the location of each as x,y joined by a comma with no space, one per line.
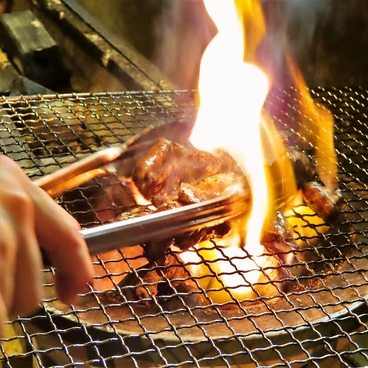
230,117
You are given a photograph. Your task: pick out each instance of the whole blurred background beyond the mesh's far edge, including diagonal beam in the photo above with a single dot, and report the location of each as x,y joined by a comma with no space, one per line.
120,45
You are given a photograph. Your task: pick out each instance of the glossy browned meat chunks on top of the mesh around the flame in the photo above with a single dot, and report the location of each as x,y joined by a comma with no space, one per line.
172,175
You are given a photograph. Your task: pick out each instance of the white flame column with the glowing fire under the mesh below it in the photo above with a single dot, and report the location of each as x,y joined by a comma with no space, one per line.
233,125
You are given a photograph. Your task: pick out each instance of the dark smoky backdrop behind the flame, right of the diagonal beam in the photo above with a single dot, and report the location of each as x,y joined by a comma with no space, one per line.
329,38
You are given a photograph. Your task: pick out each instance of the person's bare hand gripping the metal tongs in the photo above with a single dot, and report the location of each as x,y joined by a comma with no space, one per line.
30,220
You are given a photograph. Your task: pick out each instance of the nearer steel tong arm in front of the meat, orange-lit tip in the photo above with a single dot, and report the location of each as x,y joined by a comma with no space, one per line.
164,224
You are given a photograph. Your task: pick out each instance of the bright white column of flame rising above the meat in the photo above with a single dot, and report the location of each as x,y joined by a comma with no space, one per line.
230,120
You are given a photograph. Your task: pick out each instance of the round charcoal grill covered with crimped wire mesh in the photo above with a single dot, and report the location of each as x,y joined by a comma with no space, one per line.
320,321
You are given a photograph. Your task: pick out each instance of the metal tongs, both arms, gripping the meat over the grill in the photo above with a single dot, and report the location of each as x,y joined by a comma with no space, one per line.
120,159
